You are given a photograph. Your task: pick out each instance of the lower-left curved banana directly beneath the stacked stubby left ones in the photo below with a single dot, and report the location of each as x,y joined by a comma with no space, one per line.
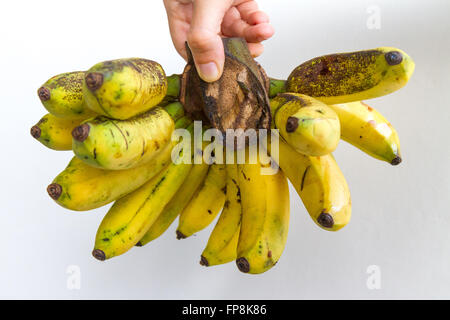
81,187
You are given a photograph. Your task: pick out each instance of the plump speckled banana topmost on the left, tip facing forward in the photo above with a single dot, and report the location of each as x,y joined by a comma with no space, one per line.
123,88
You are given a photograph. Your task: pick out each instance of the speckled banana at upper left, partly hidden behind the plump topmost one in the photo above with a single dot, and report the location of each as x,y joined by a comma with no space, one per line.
62,96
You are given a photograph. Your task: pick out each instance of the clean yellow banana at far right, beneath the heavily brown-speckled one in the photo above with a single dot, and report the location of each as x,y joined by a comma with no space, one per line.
367,129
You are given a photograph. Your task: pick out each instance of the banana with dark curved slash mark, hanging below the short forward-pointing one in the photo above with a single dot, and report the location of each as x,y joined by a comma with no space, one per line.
320,184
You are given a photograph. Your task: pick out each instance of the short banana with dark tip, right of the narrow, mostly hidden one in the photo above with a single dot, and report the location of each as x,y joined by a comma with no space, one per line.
205,204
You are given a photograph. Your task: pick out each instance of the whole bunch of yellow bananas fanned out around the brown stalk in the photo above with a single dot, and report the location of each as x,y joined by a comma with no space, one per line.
119,116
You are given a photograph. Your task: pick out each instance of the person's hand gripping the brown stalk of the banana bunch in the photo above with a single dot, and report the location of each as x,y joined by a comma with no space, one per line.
202,23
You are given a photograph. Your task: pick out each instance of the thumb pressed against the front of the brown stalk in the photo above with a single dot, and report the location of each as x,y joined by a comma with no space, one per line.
204,37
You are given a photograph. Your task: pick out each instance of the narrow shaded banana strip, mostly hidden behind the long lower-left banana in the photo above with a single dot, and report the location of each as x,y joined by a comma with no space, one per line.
177,203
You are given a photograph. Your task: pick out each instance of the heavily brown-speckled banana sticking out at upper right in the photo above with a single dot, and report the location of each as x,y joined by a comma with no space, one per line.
354,76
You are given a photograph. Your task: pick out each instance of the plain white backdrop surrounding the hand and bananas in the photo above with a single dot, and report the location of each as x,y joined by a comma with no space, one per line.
400,221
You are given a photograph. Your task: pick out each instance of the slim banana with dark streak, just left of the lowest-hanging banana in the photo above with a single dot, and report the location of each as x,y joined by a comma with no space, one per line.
222,243
